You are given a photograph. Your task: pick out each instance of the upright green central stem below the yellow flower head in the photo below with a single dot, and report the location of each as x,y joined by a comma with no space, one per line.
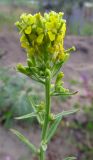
47,112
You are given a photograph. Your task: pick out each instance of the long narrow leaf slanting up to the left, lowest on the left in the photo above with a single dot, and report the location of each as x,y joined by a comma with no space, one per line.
24,140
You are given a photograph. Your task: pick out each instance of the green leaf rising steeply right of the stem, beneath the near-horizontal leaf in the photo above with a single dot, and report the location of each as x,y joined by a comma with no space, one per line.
53,128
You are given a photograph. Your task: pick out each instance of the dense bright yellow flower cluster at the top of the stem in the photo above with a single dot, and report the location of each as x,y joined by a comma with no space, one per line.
43,36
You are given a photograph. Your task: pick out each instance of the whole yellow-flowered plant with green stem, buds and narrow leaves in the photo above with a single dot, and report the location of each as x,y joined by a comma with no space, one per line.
43,39
